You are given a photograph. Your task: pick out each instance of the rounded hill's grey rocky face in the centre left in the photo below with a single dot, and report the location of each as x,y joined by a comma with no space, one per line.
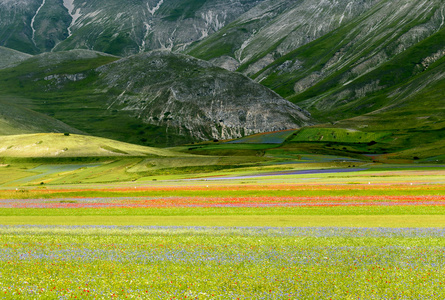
195,98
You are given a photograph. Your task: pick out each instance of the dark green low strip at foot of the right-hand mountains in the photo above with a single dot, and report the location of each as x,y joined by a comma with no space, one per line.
329,143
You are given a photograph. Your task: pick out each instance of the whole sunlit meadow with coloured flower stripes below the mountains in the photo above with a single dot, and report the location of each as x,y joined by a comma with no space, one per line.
132,228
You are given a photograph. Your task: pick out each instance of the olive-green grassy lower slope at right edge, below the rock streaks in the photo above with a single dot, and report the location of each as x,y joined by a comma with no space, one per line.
411,110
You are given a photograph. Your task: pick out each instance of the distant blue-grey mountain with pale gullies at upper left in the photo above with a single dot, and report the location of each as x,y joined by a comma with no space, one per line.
113,26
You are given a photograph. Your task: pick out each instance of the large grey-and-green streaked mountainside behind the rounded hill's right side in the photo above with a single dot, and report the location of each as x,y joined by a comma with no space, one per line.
317,59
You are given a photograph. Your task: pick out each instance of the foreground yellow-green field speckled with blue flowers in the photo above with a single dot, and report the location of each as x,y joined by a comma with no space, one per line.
99,262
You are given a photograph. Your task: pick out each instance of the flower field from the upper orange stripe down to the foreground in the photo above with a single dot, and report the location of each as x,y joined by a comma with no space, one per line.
230,261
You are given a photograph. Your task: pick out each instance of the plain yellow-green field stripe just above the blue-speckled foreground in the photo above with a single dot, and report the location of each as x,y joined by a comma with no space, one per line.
272,221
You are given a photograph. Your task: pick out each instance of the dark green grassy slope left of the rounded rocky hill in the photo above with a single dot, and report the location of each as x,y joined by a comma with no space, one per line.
79,103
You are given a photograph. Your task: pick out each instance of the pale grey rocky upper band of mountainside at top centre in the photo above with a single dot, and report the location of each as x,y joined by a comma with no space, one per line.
273,29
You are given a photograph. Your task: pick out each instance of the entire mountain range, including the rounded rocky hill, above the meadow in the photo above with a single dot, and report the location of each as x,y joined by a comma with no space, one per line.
368,65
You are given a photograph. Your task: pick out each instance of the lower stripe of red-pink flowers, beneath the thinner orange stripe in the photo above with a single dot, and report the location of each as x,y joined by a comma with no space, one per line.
271,201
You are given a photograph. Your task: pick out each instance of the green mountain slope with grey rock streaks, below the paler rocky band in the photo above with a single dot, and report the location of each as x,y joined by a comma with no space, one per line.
387,45
